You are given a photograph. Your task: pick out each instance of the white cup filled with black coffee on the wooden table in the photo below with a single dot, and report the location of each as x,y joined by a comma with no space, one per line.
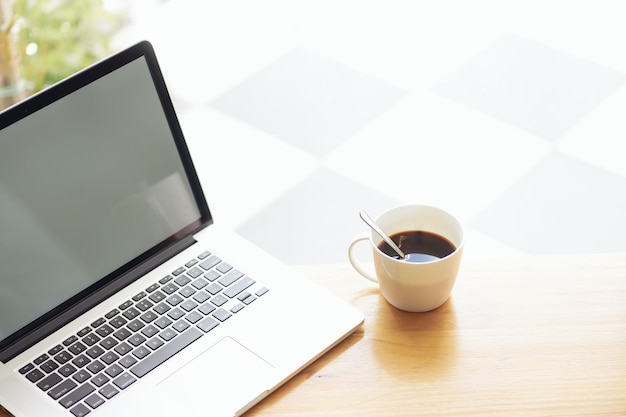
433,241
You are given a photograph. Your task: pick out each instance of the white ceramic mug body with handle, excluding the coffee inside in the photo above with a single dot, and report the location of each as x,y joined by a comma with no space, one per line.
413,286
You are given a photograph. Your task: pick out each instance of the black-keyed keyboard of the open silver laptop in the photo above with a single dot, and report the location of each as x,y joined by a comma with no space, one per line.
103,359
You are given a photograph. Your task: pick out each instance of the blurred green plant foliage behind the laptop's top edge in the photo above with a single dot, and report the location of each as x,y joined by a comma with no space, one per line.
55,38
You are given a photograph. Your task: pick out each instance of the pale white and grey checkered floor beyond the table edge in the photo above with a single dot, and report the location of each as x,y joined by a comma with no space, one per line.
510,115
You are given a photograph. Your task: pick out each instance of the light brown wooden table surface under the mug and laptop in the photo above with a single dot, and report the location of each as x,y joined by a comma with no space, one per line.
522,336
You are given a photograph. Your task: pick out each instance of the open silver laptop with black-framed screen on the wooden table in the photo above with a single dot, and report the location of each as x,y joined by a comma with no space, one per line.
118,294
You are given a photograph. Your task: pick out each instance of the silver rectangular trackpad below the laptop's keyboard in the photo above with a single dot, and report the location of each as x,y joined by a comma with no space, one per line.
220,381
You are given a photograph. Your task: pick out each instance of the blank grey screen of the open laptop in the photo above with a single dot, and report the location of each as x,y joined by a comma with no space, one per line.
89,183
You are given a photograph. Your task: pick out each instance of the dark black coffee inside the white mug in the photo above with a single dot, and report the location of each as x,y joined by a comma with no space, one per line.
419,246
